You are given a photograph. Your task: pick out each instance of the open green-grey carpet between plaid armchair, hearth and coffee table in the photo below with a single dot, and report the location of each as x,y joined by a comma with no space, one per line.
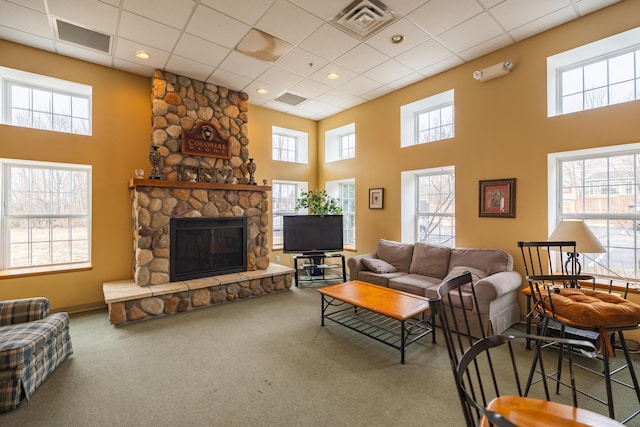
260,362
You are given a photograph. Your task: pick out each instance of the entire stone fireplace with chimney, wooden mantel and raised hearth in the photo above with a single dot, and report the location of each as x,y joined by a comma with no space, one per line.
181,192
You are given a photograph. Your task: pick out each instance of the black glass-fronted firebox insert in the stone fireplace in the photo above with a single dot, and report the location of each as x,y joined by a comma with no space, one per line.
202,247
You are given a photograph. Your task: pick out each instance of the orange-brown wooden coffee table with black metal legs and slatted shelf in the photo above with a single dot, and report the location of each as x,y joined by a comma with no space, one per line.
392,317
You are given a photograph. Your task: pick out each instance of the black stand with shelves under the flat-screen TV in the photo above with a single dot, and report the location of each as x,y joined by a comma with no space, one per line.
319,267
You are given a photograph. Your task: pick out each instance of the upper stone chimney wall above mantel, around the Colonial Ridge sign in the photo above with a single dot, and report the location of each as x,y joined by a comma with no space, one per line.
178,103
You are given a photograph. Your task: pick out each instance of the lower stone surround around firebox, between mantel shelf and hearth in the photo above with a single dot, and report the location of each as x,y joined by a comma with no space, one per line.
154,206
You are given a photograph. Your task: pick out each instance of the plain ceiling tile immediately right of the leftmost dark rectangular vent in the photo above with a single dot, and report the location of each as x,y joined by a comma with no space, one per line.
134,27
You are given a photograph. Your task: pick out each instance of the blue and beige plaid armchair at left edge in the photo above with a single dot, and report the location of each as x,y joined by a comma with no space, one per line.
33,343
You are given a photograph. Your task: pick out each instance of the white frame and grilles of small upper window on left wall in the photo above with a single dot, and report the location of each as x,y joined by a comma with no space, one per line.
10,78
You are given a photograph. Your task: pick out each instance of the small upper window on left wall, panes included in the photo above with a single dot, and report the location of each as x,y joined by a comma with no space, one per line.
41,102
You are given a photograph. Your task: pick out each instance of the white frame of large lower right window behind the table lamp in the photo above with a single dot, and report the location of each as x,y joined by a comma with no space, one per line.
596,264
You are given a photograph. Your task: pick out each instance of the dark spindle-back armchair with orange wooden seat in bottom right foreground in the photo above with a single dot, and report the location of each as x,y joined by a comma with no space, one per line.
476,390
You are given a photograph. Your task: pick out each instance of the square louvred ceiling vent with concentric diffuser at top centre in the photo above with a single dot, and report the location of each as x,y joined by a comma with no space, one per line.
363,18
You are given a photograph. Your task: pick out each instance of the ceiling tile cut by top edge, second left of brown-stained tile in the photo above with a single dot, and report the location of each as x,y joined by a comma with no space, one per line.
174,13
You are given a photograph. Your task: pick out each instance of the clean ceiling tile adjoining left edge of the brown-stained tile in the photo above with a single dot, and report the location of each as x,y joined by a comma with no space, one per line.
211,25
